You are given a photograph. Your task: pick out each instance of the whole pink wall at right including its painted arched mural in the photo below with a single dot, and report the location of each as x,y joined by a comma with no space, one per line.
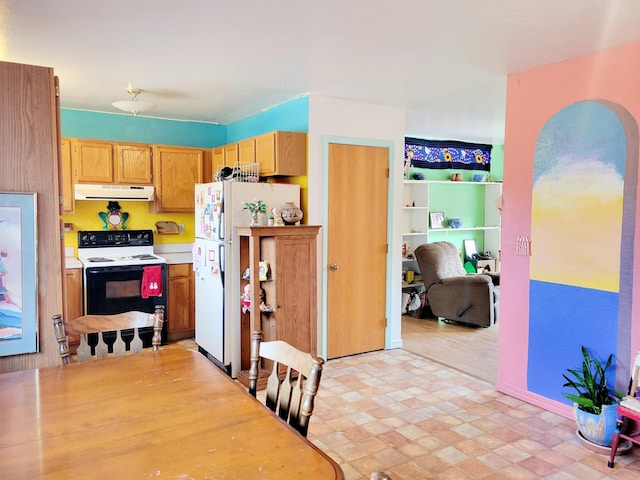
571,186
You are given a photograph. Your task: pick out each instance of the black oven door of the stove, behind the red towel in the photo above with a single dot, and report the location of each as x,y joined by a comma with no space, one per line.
109,290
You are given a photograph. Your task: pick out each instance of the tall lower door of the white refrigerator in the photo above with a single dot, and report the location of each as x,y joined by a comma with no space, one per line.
210,329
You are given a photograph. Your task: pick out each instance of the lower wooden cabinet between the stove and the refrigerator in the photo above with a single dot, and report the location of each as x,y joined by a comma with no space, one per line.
181,307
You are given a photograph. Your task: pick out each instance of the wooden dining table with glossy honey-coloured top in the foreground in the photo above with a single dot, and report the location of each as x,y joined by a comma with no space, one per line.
165,414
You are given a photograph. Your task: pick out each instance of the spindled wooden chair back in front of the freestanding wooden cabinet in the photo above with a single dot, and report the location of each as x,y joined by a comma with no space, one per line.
293,383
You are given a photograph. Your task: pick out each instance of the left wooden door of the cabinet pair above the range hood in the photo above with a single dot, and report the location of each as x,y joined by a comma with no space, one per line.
93,161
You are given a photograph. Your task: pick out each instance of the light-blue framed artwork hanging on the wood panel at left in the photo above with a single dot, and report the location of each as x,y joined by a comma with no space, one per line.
18,279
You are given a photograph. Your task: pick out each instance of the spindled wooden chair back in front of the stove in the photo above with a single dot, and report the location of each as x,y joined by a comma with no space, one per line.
100,324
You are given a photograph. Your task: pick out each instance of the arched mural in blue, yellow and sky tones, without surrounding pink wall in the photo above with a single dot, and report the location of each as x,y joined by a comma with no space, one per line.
576,226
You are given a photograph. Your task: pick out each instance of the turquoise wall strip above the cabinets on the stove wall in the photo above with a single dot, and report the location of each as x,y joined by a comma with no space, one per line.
127,128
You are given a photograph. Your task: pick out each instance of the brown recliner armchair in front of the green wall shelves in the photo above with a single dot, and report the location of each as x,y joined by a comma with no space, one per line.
451,292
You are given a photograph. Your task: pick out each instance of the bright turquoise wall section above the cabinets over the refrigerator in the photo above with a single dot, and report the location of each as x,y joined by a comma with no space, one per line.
292,116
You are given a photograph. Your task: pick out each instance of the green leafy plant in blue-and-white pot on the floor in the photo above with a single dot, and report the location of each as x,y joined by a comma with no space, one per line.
595,405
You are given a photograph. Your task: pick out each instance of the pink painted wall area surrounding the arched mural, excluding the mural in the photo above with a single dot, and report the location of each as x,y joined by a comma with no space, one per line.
532,98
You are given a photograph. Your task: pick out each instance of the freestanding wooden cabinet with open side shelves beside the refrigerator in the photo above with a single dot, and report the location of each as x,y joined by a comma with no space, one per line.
290,287
